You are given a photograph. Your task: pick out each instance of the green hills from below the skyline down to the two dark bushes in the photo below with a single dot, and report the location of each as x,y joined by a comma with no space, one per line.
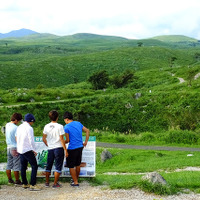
55,61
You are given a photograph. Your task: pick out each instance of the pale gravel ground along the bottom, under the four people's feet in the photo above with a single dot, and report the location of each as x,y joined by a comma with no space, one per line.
85,192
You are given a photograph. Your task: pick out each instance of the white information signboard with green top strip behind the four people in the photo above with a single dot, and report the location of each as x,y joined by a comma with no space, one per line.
88,164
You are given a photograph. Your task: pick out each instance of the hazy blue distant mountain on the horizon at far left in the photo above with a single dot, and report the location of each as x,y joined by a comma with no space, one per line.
18,33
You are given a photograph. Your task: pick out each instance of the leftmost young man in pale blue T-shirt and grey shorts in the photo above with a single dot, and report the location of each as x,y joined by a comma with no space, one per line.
13,159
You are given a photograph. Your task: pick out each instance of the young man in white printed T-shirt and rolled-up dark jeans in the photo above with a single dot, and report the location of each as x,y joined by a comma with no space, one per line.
53,137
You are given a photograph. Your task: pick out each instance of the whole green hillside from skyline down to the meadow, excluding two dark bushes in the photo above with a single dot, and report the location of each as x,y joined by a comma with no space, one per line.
43,72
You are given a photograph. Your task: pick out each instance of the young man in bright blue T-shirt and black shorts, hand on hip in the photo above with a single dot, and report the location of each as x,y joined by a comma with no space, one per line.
73,132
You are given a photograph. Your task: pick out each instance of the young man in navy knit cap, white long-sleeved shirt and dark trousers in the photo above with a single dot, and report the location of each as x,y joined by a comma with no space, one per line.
27,150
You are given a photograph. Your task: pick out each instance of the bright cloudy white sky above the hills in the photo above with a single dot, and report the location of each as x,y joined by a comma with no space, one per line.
133,19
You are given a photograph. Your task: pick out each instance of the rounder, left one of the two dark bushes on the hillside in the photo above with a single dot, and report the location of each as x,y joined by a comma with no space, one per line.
99,80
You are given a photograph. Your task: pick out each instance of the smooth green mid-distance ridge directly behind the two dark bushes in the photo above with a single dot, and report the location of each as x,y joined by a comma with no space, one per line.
57,70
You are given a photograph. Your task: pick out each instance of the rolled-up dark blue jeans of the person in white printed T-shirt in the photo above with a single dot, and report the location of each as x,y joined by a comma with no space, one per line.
57,155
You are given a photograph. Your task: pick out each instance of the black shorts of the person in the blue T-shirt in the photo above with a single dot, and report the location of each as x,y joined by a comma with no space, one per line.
74,158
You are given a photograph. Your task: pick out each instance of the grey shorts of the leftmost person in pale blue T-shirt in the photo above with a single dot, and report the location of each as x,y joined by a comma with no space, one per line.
13,159
